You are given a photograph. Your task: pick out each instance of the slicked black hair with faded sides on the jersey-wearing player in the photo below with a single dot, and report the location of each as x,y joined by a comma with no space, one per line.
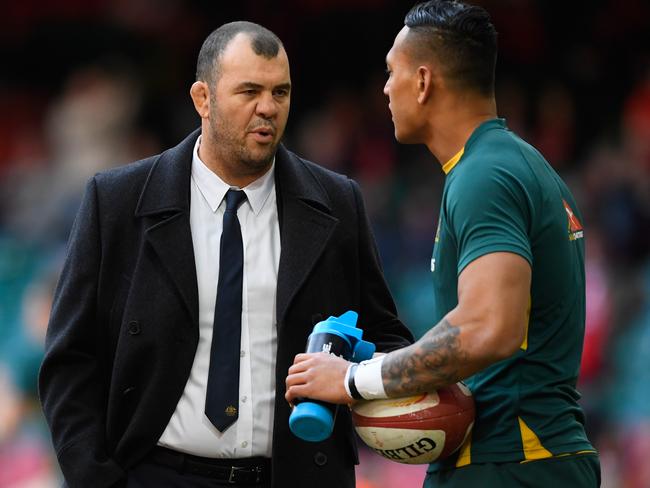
461,38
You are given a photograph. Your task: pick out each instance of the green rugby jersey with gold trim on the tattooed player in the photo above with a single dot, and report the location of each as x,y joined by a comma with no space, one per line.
501,195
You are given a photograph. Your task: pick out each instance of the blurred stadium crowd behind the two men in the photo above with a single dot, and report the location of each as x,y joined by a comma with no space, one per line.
86,85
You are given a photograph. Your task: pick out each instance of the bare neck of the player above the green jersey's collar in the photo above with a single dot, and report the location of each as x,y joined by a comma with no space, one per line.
454,122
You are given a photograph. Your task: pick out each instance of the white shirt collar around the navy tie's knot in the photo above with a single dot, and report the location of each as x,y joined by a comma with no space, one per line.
214,188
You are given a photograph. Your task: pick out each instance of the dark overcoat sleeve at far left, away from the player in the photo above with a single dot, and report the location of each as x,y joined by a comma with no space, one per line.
72,388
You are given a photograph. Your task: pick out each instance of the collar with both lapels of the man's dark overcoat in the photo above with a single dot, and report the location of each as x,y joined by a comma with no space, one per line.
304,211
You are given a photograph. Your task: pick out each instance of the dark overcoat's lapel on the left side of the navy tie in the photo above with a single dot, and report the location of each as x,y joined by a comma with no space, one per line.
165,203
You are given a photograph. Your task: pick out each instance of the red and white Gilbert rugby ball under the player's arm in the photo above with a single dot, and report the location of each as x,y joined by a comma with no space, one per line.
417,429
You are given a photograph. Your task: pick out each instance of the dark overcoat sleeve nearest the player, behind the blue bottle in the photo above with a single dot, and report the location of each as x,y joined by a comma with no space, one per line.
378,312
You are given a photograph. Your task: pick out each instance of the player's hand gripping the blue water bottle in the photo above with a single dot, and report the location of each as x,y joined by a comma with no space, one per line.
318,376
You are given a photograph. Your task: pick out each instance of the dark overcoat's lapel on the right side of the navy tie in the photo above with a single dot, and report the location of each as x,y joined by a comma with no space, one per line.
306,225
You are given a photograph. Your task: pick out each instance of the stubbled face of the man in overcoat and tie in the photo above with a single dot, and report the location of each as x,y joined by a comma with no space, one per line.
249,106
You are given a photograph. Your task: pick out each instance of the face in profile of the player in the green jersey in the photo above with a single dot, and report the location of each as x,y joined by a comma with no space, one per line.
401,89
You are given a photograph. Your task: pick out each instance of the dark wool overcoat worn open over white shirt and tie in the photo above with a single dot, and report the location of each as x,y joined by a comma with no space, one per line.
124,325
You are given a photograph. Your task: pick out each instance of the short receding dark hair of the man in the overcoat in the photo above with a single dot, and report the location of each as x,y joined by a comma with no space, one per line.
263,41
